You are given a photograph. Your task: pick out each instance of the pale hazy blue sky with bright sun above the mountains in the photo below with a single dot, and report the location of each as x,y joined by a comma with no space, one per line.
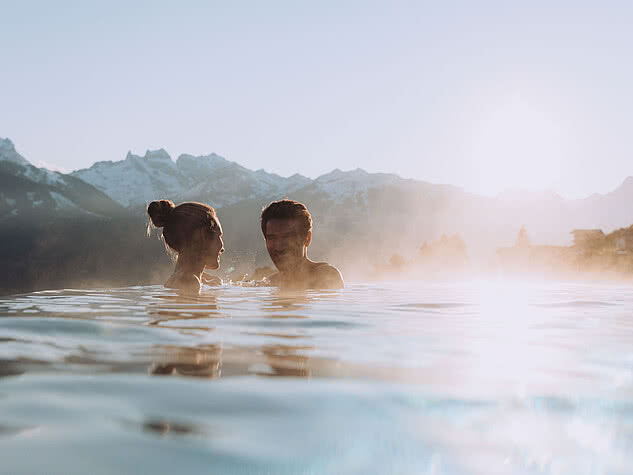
483,95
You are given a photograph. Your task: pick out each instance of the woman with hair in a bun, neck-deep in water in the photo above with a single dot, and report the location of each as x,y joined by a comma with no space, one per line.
191,230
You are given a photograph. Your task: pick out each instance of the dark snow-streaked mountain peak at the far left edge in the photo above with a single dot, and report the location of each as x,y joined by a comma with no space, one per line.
26,189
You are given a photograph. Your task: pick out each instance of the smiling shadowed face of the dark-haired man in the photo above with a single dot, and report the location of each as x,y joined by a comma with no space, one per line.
285,242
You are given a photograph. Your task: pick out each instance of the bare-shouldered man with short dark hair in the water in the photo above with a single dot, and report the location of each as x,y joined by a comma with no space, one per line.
287,228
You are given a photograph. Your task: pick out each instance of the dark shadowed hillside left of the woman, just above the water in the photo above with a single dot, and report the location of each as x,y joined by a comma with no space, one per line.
79,252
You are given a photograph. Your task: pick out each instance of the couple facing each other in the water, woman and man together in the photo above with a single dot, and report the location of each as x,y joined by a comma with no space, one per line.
193,231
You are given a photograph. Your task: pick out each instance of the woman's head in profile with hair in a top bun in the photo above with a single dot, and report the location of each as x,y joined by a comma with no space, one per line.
190,228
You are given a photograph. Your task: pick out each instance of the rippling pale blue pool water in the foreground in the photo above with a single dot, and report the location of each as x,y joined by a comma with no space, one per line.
417,377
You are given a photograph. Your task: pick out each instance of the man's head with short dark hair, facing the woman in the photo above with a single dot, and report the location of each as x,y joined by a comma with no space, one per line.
287,228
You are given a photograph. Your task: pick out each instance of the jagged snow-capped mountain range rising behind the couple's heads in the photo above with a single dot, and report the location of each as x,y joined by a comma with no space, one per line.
220,182
